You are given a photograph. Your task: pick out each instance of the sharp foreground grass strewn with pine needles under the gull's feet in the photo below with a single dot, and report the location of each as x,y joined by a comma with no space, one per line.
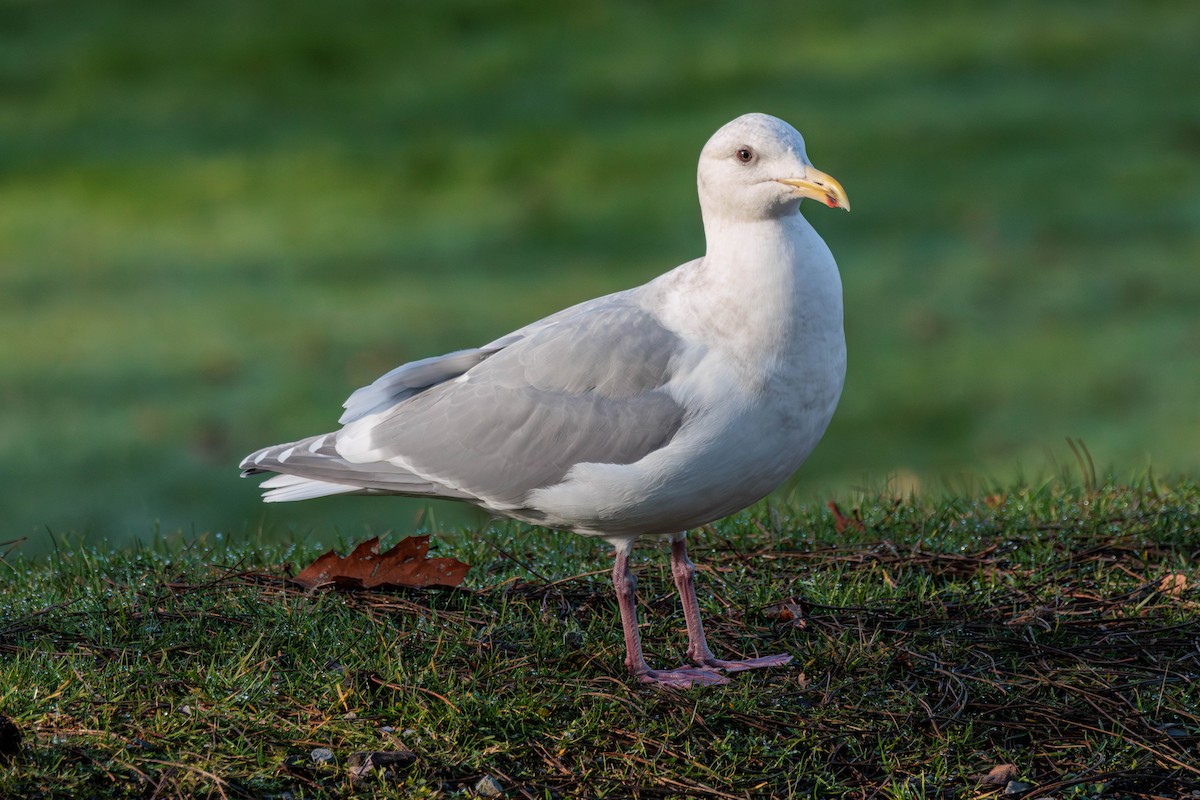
934,640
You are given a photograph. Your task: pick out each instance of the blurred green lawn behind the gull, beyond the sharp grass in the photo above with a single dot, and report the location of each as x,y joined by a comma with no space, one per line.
219,218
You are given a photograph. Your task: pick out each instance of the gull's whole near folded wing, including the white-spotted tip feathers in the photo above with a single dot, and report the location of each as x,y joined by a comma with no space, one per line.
586,386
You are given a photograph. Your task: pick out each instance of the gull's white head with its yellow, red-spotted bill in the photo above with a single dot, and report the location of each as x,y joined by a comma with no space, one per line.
755,169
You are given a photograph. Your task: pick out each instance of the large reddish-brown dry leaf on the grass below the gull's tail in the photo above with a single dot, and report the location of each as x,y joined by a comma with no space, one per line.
367,568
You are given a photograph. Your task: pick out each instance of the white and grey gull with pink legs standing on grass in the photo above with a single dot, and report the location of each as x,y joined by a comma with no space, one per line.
646,412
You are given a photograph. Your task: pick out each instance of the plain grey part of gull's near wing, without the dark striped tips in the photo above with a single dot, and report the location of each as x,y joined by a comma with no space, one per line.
586,388
